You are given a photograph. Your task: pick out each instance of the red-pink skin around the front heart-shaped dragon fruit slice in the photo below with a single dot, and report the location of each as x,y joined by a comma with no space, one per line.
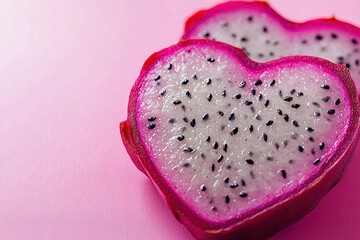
270,220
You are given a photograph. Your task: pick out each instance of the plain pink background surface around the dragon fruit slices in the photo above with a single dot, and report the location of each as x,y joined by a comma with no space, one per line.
66,69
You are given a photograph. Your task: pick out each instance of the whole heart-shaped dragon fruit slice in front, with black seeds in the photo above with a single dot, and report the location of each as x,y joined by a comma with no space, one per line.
238,148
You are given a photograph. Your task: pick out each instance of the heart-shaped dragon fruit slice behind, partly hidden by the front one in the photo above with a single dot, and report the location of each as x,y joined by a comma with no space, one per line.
265,35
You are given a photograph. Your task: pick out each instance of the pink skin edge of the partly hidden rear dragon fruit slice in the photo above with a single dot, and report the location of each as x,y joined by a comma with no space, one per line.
330,23
